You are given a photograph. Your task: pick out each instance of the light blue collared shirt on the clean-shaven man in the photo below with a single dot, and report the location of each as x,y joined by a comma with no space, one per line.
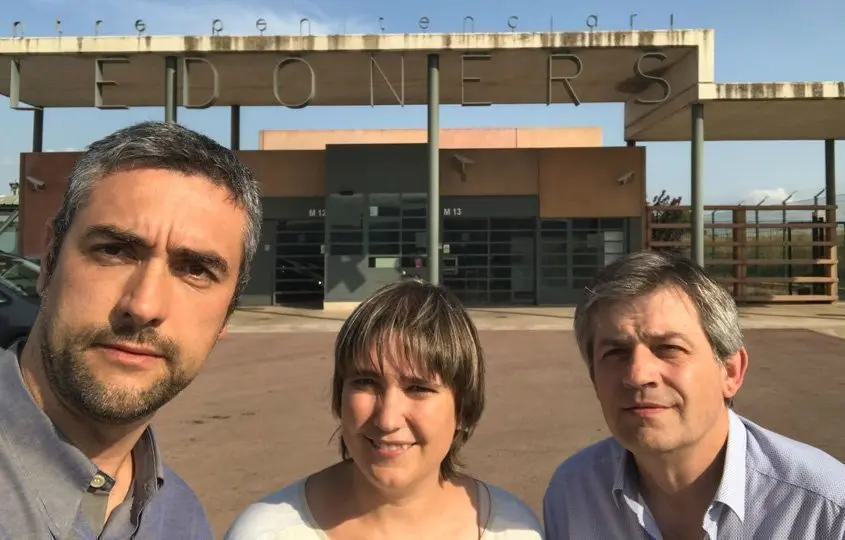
772,487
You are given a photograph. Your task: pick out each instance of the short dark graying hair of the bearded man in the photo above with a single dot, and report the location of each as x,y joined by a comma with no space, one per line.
159,145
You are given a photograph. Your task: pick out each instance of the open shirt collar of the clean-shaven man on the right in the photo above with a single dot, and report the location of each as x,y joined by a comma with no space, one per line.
731,490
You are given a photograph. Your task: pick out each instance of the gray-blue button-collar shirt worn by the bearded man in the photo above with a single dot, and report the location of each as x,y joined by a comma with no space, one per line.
50,490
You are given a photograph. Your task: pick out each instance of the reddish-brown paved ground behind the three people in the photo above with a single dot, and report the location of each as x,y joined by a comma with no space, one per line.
258,416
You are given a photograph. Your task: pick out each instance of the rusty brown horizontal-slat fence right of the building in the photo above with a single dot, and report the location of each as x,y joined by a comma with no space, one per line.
764,252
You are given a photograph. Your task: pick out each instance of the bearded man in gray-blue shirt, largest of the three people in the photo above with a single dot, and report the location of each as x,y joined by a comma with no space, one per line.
146,260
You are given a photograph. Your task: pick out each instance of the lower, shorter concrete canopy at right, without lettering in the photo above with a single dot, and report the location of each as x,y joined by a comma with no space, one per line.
775,111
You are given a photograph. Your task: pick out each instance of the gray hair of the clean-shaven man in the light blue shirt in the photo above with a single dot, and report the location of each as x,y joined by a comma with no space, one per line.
638,274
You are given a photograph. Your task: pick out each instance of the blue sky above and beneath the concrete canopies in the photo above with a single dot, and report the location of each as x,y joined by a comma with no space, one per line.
776,40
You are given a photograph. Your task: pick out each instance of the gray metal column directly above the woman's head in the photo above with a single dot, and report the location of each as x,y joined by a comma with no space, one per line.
433,249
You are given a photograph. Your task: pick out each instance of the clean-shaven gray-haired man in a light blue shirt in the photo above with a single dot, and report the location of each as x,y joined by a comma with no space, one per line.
664,350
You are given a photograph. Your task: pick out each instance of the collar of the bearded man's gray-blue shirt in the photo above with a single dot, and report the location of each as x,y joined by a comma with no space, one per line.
55,469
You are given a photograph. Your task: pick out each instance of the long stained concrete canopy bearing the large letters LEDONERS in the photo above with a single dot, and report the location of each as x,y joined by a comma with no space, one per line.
60,71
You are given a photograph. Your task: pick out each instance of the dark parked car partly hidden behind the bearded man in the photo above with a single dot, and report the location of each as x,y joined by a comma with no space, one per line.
19,300
